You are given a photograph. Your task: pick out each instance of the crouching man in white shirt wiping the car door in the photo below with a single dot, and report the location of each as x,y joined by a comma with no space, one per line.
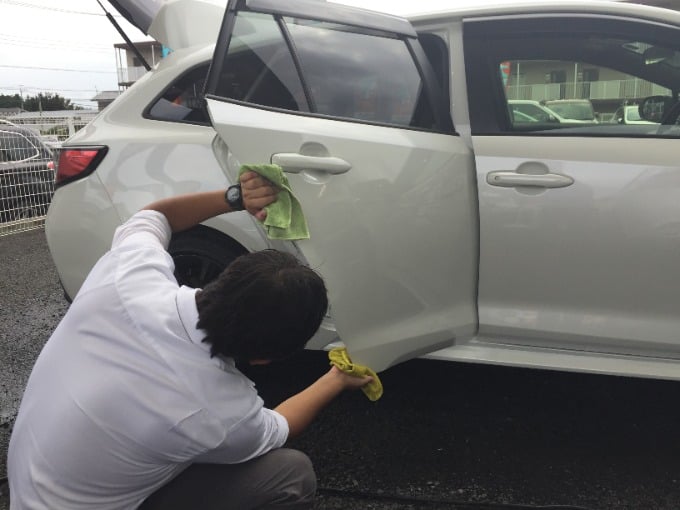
135,400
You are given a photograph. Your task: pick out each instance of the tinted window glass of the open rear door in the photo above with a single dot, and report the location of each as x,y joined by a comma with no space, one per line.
346,72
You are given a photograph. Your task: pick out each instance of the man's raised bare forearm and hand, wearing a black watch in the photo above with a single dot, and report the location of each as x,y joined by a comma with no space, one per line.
186,211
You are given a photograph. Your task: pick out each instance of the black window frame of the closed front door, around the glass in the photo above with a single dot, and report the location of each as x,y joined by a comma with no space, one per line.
483,50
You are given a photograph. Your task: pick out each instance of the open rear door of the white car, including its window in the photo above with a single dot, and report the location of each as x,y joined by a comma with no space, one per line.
345,102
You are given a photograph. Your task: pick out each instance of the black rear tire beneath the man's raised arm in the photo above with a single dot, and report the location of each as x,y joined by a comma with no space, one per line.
201,254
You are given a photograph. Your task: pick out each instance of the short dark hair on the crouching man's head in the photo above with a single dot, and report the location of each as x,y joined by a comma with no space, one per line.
265,305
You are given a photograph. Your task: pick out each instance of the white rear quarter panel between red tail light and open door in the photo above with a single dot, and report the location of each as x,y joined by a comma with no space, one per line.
140,160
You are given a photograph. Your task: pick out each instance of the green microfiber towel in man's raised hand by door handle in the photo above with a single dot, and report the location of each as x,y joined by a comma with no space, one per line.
284,217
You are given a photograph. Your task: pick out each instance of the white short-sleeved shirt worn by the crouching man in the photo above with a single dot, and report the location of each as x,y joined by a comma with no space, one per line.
125,395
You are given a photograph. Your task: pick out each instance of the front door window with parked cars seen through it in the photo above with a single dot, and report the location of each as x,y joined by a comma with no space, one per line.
591,80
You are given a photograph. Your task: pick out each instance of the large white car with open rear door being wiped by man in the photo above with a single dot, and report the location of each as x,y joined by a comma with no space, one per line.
439,225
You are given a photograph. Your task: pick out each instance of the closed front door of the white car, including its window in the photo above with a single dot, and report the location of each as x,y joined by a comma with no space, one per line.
580,223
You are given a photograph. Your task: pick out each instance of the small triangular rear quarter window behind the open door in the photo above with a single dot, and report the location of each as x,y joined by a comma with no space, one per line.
182,101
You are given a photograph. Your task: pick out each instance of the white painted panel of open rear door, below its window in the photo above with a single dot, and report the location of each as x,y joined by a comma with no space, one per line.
392,296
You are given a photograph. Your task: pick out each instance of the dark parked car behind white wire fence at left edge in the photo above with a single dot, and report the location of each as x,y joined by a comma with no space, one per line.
26,174
